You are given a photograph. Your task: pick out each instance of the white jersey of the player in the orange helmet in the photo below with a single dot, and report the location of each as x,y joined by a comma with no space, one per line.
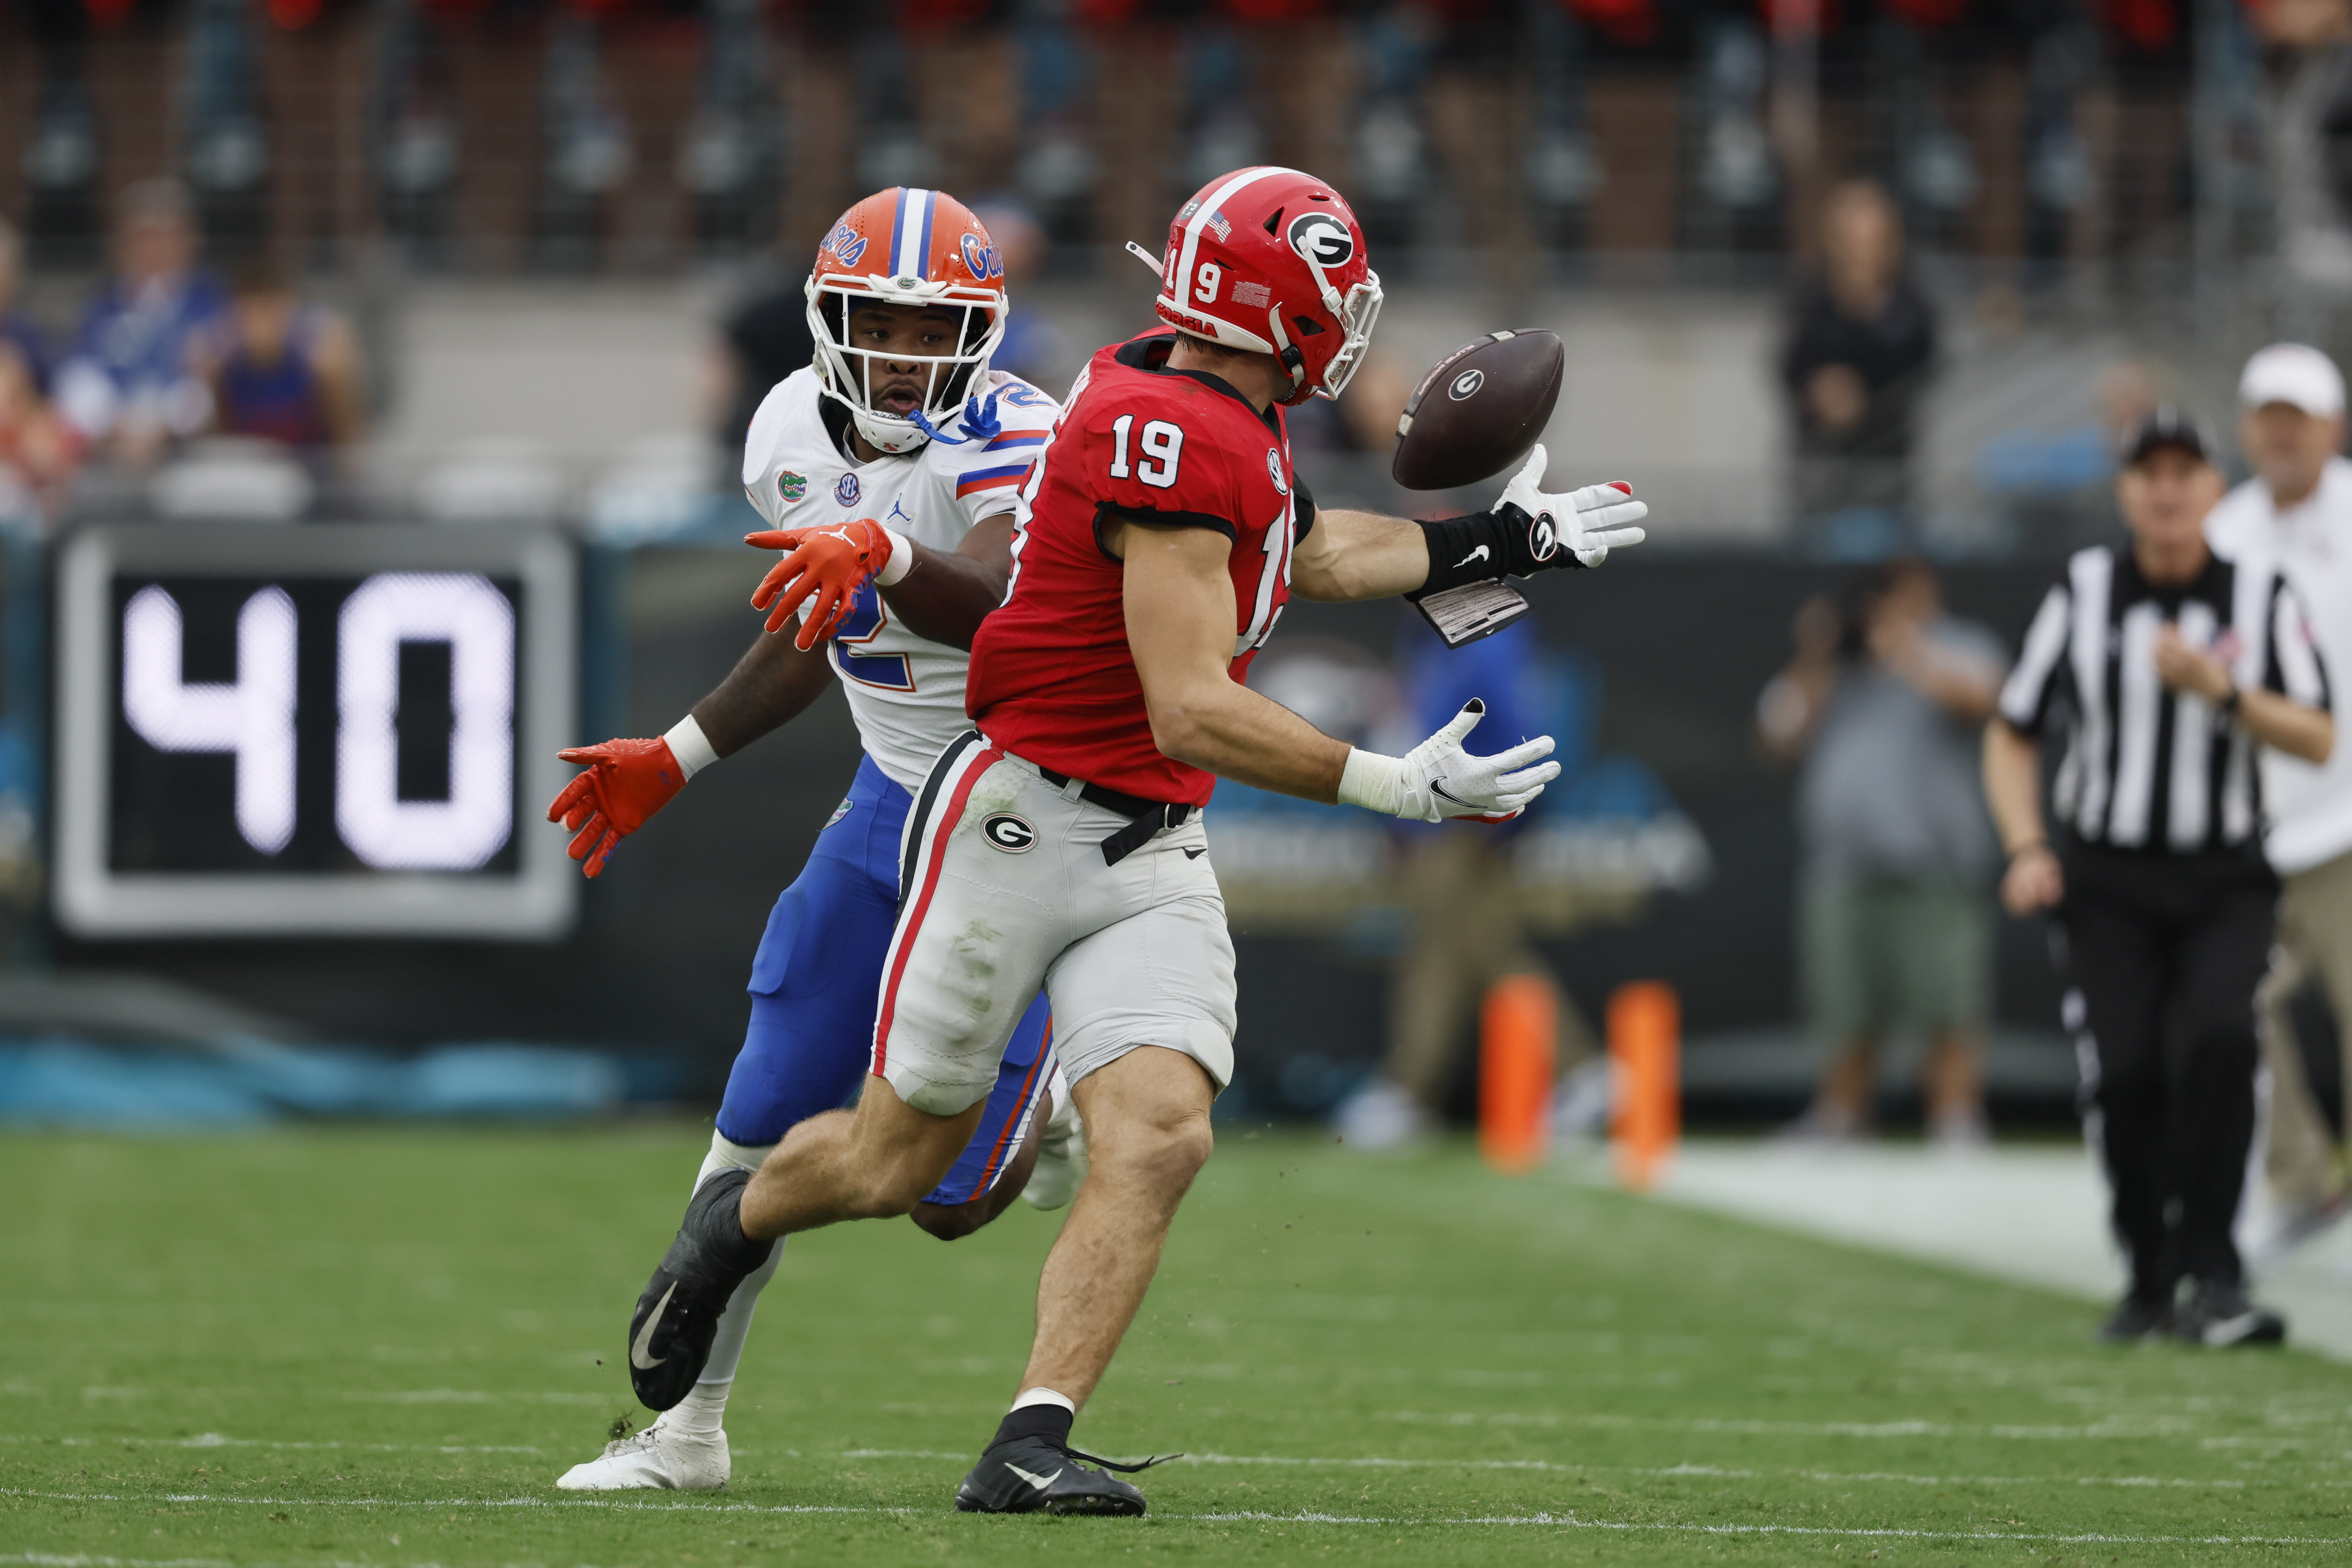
904,690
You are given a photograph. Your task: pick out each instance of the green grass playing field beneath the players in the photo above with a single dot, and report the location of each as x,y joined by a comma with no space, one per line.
382,1348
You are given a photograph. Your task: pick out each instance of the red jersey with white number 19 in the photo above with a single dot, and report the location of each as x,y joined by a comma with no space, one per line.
1053,678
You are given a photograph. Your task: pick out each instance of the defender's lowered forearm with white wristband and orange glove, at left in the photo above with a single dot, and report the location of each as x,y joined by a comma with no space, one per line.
629,782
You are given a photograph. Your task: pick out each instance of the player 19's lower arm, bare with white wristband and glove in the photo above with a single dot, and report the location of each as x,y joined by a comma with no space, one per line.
1180,626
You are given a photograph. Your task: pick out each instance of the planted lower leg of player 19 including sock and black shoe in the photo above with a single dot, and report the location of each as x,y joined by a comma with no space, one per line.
1149,1137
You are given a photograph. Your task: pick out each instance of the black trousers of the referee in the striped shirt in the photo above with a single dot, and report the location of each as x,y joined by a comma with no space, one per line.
2165,953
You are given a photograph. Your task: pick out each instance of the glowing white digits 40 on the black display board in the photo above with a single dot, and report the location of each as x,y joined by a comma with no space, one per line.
457,822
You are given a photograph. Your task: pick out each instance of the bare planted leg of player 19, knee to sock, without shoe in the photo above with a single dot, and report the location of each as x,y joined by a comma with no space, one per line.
1149,1137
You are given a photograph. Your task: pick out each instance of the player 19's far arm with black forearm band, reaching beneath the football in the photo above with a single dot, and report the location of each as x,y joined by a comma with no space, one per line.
1363,556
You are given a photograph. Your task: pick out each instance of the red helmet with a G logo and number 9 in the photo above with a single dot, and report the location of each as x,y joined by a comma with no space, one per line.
1274,262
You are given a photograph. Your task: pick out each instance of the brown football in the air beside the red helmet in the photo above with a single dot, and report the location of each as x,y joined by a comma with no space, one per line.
1478,410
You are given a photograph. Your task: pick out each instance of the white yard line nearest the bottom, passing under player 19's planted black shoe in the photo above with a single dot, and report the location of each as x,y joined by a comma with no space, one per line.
1387,1522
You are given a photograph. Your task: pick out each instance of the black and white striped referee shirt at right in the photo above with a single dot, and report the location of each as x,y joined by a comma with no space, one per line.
2149,768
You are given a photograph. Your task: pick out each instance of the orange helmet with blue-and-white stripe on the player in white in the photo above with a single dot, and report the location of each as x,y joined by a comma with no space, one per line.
907,248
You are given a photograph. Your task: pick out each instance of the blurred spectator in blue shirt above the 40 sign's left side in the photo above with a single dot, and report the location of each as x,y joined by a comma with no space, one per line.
131,384
